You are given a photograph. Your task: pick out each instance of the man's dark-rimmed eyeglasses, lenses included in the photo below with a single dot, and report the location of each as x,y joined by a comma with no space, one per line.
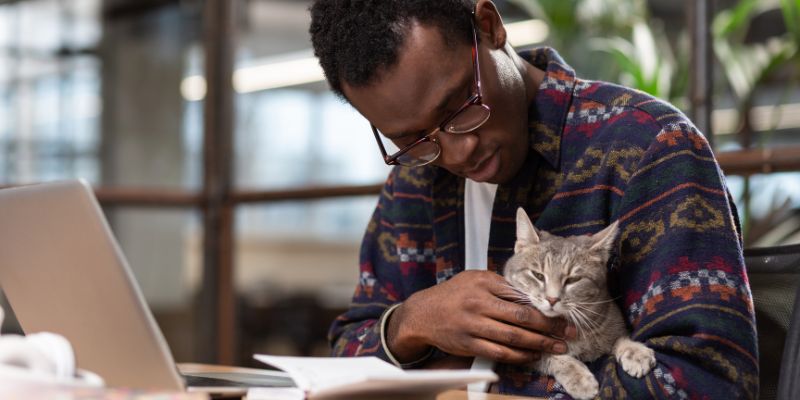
470,116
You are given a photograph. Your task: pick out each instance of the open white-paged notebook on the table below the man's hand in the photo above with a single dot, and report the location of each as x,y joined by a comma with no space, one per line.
329,377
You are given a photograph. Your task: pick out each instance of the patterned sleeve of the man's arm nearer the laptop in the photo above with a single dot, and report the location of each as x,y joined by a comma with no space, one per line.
357,331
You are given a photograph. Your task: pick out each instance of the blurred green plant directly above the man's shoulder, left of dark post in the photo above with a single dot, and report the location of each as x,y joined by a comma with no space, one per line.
637,53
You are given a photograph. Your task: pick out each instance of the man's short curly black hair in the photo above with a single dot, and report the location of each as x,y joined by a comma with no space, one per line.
356,39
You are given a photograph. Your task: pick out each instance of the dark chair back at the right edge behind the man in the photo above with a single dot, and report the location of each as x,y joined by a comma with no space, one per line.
774,274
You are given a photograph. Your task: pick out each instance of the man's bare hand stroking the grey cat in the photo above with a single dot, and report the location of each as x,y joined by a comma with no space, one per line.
470,315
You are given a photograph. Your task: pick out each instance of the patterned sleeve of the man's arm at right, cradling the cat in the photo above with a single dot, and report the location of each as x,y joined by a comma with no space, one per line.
681,276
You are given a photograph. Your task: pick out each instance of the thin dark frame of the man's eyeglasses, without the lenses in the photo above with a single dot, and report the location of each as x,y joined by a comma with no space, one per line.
475,98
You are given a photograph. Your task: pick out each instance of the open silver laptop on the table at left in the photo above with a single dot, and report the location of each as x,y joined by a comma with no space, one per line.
62,271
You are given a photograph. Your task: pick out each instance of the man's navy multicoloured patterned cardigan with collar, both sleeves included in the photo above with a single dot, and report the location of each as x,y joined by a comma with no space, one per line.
599,153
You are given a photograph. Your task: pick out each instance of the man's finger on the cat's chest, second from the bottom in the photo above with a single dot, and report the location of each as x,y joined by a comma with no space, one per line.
516,337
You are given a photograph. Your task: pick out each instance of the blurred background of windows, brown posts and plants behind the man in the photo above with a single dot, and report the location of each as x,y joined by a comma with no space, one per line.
239,186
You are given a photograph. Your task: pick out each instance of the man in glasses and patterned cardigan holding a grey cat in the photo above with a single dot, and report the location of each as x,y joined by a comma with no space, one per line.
576,155
